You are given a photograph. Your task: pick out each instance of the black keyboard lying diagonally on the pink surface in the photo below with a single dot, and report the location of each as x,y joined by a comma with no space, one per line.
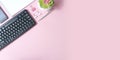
15,27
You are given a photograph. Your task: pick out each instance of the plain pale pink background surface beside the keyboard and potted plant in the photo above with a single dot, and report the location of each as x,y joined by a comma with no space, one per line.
75,30
